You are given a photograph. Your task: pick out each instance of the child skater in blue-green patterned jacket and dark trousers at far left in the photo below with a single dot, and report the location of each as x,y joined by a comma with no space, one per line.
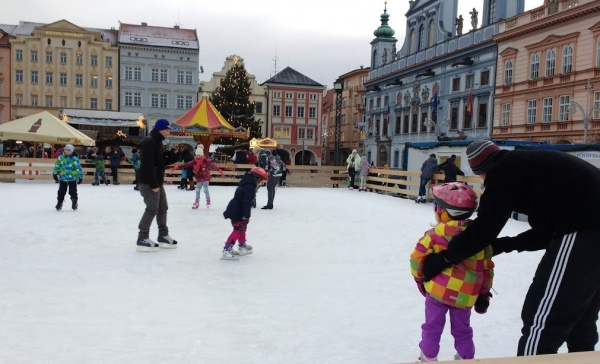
67,170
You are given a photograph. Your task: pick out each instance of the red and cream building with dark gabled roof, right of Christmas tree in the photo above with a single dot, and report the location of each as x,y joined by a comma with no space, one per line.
294,114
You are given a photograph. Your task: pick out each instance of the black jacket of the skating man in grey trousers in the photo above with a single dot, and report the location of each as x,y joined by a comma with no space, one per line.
152,168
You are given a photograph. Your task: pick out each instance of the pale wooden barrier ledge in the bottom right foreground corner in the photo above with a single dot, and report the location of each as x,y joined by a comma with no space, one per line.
590,357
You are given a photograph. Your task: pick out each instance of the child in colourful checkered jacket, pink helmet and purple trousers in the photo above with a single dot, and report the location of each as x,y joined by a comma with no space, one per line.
457,288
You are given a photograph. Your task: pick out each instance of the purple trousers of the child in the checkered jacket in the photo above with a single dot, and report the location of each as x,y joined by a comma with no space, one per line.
460,327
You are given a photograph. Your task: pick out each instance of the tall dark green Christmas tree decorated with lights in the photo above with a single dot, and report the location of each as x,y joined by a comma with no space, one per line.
232,99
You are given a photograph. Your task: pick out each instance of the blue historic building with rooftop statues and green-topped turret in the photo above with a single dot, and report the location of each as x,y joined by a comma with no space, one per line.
440,84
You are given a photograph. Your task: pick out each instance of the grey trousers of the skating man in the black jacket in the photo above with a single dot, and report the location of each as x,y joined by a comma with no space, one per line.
156,206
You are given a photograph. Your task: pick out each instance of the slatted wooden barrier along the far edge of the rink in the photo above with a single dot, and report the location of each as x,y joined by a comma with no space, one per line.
396,183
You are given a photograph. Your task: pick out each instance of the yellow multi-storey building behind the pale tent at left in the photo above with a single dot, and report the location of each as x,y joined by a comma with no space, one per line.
63,66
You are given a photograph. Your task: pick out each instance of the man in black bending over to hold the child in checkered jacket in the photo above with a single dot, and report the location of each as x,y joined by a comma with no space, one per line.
560,194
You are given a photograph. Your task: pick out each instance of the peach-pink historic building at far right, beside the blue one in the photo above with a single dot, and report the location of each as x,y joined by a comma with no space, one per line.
548,79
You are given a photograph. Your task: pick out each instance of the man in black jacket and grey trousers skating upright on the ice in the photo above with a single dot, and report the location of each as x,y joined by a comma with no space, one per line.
152,171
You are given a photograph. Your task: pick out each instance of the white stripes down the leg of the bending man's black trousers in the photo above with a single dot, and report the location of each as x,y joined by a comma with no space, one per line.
556,275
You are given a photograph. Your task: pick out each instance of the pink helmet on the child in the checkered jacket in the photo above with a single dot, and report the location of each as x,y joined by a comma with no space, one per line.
458,199
